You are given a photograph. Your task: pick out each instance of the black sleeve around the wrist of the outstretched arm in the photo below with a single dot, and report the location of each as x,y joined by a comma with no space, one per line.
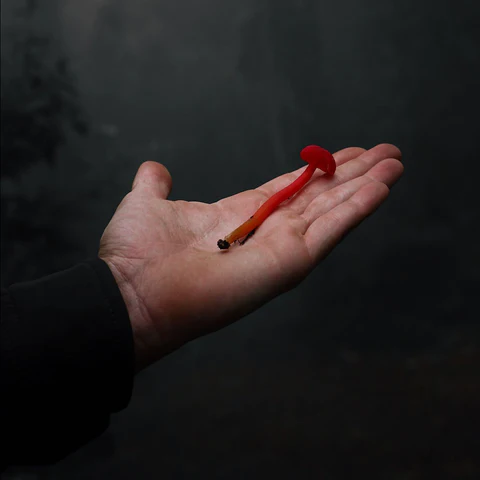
66,363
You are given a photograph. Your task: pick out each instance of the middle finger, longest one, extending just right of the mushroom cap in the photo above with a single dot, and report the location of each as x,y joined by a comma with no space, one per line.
347,171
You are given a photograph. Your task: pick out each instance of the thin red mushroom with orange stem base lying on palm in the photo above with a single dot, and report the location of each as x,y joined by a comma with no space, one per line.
316,157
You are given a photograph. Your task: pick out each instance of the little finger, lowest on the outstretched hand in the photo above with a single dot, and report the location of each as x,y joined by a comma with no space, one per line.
329,229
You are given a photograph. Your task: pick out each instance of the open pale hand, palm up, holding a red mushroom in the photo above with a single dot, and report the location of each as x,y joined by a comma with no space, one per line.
178,285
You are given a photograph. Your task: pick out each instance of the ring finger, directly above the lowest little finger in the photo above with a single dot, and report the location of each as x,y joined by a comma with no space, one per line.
388,171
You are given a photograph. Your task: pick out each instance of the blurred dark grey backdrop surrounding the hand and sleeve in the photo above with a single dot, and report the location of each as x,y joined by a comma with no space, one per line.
368,369
